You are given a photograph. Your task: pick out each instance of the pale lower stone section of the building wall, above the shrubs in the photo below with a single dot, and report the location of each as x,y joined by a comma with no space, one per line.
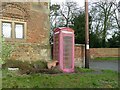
30,52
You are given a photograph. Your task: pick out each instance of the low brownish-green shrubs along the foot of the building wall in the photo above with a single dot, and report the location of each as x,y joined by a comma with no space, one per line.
30,68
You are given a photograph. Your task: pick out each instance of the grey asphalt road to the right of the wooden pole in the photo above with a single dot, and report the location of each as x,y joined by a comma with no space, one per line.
104,65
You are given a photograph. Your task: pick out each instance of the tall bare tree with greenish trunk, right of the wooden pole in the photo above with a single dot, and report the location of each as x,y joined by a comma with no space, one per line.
104,17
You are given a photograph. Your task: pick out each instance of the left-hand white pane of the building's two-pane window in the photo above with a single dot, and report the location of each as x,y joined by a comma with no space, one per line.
6,29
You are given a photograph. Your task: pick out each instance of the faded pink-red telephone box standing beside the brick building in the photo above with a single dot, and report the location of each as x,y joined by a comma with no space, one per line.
63,48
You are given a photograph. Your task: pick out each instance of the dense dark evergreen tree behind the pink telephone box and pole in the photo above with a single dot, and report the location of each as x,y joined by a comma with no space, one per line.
79,27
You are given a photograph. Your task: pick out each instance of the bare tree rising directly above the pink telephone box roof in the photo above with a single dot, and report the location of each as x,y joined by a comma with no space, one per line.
68,11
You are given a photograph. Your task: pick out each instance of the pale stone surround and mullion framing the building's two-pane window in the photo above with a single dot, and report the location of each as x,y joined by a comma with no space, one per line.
13,22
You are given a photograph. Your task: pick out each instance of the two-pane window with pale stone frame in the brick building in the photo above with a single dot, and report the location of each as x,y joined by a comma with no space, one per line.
13,29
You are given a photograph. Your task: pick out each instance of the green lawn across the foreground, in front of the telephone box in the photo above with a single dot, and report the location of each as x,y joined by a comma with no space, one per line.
81,79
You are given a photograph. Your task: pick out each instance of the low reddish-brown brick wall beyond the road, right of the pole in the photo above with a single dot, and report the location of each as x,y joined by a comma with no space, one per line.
104,52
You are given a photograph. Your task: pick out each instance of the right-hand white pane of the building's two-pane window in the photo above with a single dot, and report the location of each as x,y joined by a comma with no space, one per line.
19,31
